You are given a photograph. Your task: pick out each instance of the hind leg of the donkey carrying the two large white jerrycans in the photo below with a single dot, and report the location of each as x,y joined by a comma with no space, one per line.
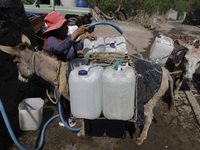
148,114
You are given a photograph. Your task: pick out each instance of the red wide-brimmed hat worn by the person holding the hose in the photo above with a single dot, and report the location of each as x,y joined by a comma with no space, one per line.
54,20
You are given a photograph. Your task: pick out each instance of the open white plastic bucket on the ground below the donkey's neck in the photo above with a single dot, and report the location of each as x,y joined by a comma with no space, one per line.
30,113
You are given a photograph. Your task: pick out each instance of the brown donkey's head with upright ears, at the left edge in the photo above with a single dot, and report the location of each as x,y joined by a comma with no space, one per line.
24,56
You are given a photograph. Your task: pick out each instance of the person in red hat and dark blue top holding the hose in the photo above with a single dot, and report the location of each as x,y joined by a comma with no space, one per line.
65,47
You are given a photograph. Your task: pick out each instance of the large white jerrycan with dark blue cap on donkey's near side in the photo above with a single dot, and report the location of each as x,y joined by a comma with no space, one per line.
85,85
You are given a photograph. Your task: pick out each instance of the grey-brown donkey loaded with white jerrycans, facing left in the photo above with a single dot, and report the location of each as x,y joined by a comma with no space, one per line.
54,71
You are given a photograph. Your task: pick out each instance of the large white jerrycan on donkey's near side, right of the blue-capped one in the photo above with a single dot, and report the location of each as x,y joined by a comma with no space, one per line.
118,92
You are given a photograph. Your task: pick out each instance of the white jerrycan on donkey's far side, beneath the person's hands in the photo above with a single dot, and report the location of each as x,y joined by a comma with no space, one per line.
93,46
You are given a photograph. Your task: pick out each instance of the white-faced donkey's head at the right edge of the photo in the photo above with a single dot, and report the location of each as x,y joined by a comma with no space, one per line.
192,58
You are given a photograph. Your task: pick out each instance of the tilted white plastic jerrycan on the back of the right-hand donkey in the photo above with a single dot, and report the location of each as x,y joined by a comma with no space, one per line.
161,49
